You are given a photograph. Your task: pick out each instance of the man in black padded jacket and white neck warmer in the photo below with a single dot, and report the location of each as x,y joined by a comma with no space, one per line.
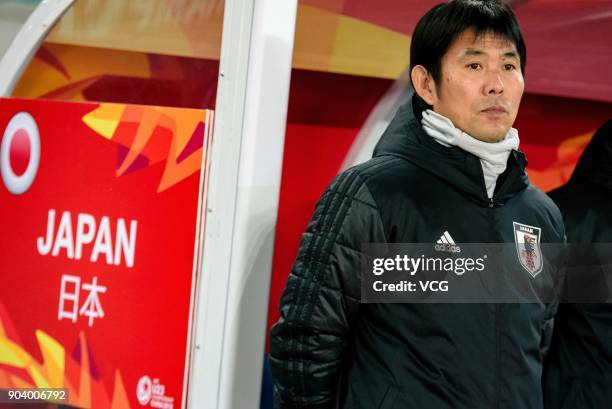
448,162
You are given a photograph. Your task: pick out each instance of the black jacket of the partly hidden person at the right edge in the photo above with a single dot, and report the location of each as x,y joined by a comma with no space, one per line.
578,371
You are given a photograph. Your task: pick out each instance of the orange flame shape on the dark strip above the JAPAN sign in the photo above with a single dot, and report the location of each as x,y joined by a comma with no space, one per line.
83,65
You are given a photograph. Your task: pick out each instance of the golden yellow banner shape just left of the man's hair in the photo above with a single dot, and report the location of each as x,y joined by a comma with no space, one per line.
365,49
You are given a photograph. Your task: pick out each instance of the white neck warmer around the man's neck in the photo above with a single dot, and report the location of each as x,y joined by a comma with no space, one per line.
493,155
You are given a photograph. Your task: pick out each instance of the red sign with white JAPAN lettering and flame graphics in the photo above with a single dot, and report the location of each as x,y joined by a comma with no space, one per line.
99,211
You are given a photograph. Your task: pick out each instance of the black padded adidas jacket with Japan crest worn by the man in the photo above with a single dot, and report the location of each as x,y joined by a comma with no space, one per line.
407,356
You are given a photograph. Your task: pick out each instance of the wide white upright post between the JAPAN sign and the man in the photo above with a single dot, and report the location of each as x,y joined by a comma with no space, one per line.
244,184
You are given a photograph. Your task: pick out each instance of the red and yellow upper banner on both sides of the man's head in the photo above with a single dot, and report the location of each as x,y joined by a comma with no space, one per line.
372,38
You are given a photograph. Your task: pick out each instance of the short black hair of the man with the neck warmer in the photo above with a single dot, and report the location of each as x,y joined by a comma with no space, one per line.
439,27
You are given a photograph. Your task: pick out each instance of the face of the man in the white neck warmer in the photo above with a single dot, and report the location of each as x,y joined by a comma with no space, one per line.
481,85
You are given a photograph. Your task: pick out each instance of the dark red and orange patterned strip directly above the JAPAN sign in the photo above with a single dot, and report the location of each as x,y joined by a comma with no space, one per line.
68,72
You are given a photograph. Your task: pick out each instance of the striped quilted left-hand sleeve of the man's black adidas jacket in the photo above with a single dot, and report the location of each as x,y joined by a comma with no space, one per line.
320,303
